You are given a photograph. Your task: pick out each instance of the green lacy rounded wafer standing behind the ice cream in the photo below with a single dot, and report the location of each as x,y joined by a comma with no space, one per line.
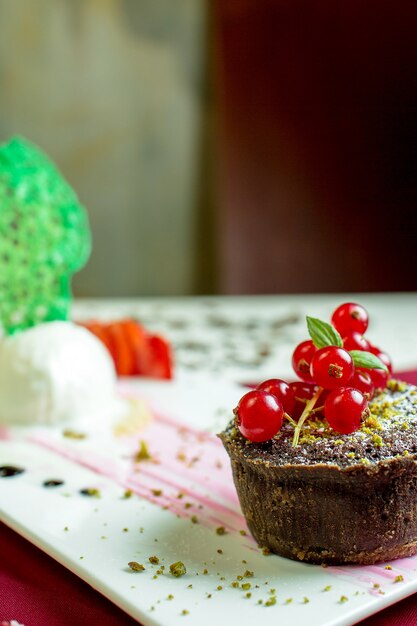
44,238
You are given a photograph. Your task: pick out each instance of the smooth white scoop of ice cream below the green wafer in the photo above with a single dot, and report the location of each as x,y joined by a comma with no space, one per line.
56,372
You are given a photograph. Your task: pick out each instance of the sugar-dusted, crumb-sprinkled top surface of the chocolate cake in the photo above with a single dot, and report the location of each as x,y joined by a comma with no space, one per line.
388,432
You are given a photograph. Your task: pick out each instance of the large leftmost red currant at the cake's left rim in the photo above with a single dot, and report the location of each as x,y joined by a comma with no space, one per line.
259,415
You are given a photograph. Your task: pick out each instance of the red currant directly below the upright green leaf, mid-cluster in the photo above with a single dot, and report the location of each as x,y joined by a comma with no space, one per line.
331,367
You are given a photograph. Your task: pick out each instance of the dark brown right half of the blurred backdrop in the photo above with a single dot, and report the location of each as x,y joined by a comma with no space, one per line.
316,151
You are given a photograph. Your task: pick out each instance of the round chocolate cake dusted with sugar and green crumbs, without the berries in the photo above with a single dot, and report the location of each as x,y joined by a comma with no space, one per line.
334,498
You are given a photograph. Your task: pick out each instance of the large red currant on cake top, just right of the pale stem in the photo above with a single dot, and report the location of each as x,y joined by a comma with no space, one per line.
344,409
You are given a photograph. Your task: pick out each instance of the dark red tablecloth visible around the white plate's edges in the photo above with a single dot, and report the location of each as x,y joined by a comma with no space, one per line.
36,591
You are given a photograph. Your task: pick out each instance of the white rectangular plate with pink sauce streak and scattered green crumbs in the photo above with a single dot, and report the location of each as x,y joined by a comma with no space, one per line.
96,537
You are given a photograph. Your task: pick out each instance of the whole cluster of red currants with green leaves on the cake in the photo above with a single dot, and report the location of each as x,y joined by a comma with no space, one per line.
340,371
